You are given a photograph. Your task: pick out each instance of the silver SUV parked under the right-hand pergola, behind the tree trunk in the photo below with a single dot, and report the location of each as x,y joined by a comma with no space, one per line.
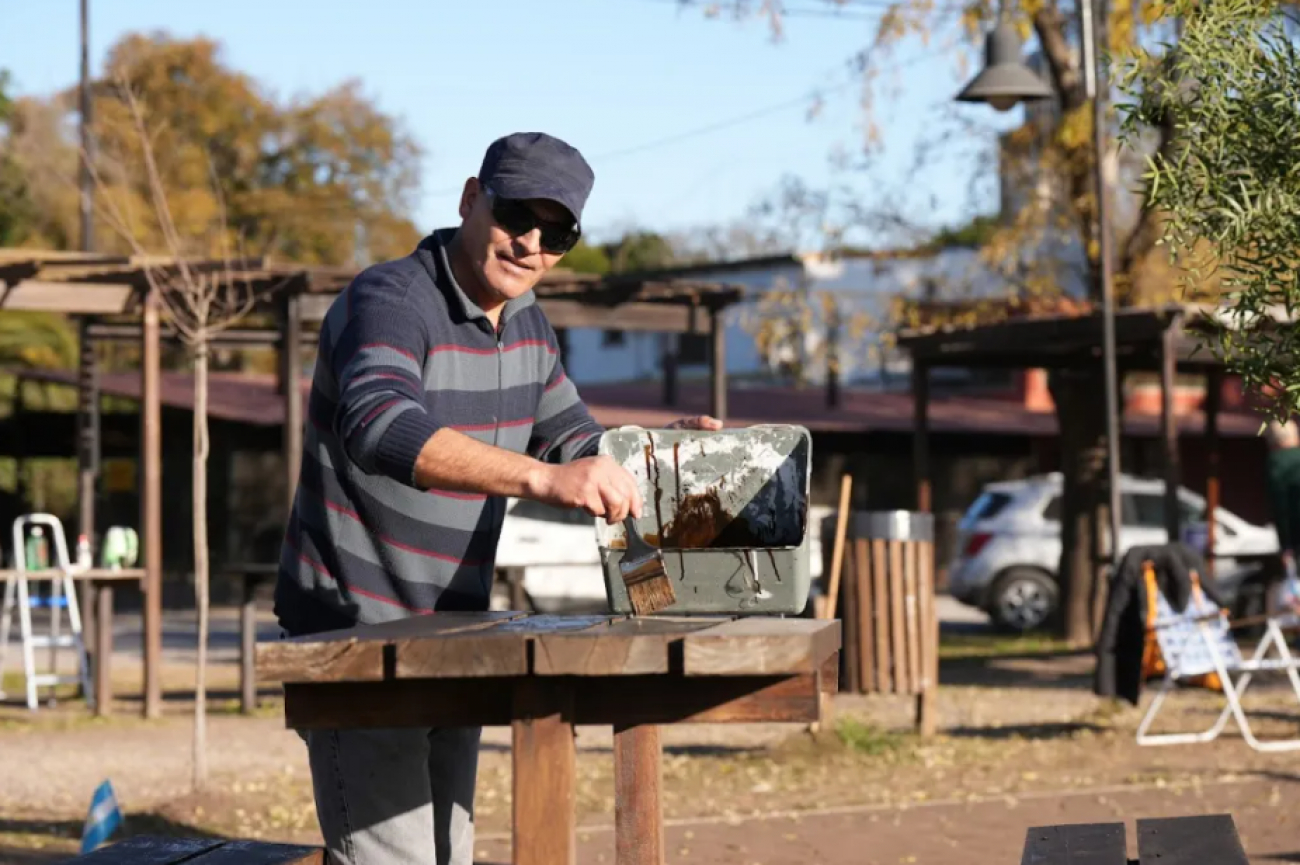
1009,544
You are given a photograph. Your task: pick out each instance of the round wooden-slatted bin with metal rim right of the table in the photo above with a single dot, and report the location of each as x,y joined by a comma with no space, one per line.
887,604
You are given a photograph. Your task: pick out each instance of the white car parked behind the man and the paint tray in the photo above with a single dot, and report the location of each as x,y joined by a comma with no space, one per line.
557,551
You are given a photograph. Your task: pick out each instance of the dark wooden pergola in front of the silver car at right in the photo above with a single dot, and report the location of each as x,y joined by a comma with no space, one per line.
1164,340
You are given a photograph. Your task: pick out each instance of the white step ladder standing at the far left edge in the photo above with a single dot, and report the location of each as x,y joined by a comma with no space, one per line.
63,595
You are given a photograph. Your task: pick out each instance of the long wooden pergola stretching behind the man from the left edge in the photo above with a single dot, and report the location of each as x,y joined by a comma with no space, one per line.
111,299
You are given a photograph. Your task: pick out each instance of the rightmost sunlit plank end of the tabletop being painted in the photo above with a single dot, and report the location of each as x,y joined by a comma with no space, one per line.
761,646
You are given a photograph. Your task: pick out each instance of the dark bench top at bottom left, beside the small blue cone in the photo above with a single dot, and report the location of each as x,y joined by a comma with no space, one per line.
151,850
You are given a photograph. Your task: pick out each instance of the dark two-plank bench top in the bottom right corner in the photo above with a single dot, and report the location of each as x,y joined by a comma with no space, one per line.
1172,841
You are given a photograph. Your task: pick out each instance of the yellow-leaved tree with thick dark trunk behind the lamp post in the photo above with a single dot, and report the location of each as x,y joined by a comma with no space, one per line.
1056,155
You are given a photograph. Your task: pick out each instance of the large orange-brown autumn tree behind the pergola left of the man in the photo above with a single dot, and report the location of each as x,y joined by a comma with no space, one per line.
322,180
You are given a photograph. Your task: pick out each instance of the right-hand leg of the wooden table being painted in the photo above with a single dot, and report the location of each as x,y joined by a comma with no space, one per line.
638,781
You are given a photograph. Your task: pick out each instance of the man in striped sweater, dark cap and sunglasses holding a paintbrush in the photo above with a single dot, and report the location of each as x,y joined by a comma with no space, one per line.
439,392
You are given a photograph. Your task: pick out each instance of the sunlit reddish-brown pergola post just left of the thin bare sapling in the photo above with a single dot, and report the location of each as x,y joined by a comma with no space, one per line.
151,501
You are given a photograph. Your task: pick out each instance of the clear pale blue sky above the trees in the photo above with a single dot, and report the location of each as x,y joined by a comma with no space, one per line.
686,120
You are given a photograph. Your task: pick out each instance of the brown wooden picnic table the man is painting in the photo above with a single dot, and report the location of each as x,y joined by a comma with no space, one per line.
544,674
